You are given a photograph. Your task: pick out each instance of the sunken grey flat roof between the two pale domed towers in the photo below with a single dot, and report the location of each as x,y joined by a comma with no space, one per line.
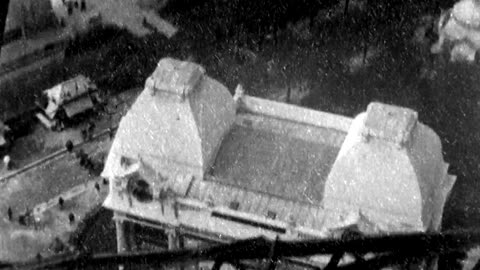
280,157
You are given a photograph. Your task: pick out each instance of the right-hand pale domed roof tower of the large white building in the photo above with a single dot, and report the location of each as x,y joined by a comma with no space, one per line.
391,169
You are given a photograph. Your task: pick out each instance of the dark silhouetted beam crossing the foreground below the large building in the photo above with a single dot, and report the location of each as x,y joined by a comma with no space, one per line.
385,251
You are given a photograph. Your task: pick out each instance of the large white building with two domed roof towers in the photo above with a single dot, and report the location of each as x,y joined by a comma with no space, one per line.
194,162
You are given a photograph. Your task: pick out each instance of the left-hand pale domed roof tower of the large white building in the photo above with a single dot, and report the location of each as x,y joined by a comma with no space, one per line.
170,129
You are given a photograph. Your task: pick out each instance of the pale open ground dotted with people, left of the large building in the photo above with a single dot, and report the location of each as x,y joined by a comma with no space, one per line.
48,179
